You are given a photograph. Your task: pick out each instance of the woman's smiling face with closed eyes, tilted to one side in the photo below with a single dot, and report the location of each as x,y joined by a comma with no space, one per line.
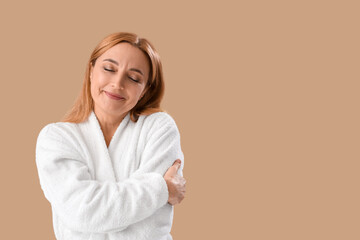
118,79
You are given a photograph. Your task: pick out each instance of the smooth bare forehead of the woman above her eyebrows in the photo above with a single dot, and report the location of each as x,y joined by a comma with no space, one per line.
127,54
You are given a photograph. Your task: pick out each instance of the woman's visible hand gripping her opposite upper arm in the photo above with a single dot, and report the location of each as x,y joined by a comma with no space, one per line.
175,183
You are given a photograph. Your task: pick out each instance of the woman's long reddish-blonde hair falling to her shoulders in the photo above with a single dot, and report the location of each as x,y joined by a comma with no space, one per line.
154,89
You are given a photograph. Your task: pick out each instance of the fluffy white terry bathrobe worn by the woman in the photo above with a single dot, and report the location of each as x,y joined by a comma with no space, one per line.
109,193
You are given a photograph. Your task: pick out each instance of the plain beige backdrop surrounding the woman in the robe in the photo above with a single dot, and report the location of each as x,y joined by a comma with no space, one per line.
265,94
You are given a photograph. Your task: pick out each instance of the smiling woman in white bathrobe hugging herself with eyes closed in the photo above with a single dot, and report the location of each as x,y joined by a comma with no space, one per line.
113,168
